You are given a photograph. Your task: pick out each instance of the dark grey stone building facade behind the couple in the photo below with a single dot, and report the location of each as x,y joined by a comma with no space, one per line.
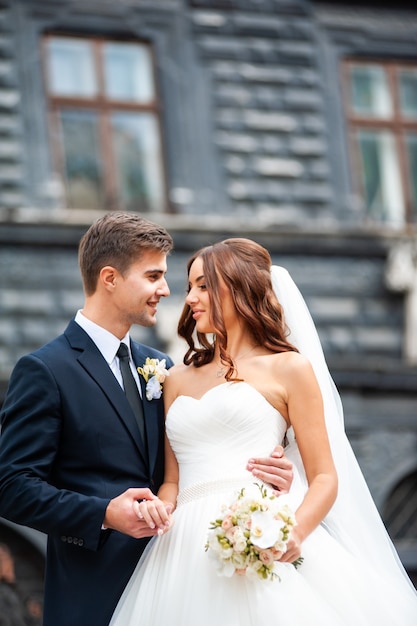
257,141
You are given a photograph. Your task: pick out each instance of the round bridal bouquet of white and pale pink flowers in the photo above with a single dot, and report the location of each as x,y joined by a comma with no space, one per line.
251,534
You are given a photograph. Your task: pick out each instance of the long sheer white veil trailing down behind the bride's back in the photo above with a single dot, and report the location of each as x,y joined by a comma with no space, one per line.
354,520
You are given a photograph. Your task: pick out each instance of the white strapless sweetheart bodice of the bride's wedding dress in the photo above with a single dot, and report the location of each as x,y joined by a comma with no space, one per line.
214,436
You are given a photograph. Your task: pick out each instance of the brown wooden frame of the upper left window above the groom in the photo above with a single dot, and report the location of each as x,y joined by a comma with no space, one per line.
104,107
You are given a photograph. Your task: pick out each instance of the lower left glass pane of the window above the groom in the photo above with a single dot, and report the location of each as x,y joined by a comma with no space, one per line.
83,175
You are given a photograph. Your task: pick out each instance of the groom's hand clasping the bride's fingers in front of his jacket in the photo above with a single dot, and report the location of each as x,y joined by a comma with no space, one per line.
121,516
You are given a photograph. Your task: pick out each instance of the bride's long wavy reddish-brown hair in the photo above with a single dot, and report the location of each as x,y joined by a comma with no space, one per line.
245,267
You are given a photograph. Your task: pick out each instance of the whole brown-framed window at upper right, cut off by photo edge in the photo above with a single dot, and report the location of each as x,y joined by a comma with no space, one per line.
381,109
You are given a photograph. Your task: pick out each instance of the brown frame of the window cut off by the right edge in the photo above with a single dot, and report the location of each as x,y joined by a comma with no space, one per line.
396,124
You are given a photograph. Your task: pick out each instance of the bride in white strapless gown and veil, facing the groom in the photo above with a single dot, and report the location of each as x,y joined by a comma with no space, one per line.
262,380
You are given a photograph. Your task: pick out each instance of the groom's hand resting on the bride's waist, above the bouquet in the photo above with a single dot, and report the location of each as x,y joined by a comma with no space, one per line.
275,470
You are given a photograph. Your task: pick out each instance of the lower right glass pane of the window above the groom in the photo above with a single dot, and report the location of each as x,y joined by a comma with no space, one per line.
138,161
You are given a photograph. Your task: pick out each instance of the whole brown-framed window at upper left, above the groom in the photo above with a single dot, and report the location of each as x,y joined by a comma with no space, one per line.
105,130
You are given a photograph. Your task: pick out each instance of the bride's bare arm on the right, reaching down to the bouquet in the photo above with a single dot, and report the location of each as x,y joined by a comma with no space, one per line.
306,414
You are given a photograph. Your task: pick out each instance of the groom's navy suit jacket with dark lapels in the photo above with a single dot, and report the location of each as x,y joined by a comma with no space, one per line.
69,444
